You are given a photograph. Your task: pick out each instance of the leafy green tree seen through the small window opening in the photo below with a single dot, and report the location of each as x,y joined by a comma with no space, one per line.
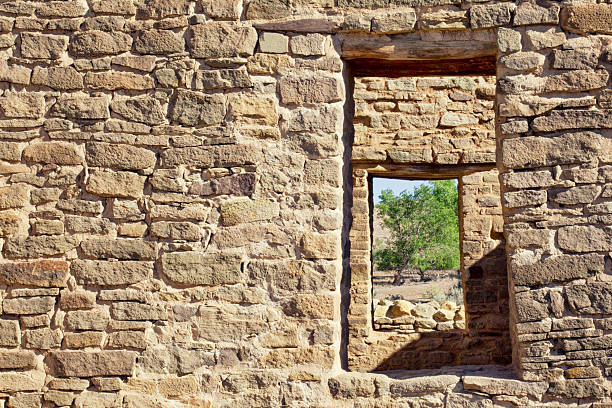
424,226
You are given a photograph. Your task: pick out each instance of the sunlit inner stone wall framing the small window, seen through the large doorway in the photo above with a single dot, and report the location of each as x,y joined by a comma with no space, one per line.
421,128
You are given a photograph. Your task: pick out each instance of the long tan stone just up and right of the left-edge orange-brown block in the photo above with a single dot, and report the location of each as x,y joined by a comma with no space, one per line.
124,249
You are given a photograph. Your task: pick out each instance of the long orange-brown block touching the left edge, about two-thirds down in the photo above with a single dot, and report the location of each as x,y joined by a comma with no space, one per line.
44,273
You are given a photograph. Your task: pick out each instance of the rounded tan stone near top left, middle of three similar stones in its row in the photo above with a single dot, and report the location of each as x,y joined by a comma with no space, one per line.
97,43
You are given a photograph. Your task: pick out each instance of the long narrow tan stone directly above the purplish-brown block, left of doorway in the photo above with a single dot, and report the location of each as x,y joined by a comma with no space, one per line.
213,156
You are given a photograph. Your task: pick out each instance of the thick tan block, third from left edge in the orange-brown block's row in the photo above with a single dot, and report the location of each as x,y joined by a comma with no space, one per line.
196,268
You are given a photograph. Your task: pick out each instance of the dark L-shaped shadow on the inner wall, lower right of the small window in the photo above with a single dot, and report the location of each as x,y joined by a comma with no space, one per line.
486,339
